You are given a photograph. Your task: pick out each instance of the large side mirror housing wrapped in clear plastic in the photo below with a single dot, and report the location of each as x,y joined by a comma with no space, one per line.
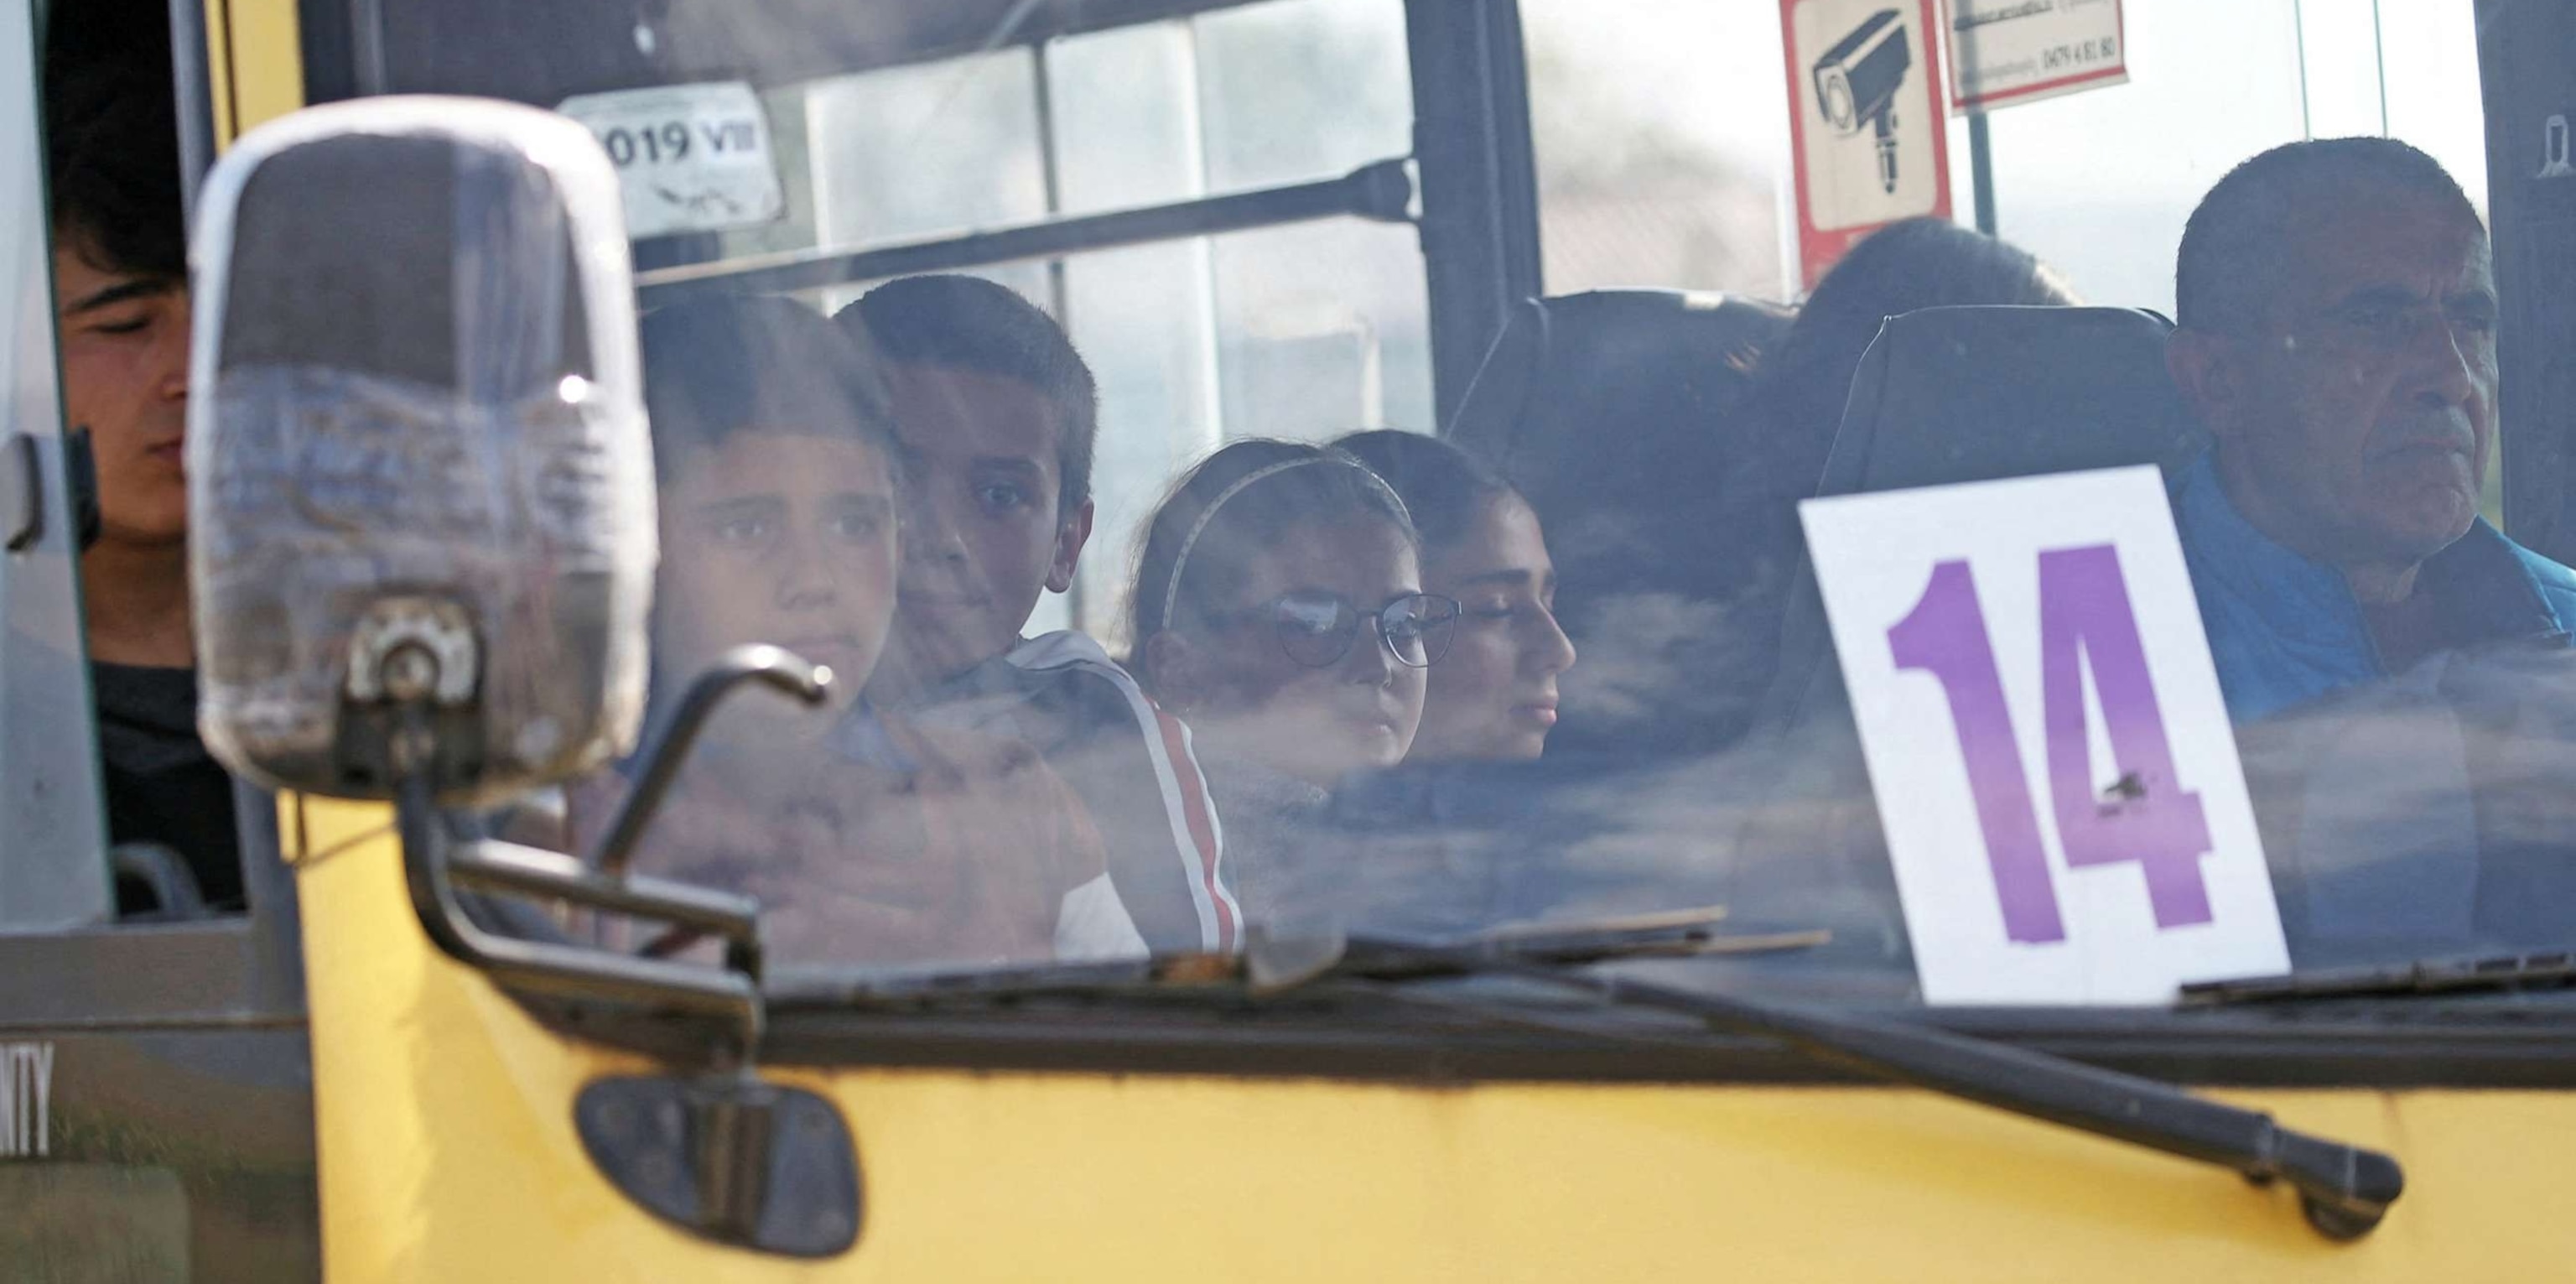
419,468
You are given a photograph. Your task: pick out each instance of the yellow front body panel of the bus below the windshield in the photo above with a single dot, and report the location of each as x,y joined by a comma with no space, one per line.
450,1154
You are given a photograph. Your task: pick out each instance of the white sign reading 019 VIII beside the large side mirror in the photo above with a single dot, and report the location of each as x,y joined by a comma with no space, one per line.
694,159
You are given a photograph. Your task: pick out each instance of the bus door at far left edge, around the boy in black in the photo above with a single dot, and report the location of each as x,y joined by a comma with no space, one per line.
156,1089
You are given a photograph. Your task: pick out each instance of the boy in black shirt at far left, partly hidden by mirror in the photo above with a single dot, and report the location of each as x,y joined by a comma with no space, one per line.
122,313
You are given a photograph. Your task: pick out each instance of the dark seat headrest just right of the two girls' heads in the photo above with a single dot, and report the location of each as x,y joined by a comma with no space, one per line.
1593,367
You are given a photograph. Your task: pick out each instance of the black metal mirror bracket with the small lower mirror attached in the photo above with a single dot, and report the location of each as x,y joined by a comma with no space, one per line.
723,1156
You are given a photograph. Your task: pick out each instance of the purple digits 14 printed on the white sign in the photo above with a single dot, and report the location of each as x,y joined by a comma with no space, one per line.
2147,819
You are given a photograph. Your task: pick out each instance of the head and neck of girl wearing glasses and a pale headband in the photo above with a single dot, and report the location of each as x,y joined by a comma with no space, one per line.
1282,615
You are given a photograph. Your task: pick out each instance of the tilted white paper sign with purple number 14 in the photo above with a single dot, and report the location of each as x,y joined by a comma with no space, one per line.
2047,741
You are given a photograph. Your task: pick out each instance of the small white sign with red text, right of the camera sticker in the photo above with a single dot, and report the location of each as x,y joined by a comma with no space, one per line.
2026,50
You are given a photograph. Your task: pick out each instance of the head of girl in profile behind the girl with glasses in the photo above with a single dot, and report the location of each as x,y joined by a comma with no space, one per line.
1495,692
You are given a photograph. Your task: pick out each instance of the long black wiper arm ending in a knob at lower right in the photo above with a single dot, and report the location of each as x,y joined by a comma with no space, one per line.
2343,1190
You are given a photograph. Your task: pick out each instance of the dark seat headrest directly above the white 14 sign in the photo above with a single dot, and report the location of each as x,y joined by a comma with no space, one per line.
1980,393
